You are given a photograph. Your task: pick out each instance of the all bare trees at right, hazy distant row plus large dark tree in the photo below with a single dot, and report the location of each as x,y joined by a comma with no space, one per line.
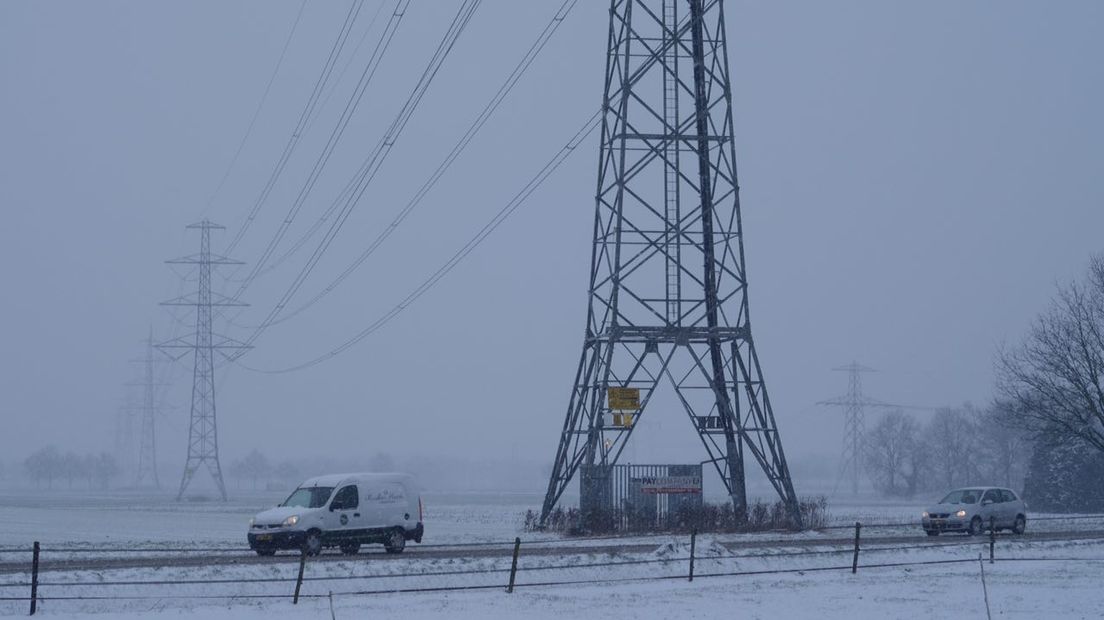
1045,434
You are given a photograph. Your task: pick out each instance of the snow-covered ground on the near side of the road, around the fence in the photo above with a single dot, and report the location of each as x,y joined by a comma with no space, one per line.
1058,589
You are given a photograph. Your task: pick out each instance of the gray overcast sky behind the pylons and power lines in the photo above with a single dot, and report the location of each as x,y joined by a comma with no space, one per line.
917,177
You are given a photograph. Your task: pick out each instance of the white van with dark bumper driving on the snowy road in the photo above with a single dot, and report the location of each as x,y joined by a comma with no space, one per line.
344,510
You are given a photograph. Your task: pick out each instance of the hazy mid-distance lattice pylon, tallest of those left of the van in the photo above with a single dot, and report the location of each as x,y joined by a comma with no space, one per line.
204,434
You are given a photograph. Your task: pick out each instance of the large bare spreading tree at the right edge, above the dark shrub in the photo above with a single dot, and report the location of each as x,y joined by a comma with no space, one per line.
1055,380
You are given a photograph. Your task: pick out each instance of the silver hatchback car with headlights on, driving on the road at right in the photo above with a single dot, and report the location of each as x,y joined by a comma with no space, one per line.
971,510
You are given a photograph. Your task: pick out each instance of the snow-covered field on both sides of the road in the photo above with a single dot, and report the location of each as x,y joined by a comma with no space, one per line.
1061,580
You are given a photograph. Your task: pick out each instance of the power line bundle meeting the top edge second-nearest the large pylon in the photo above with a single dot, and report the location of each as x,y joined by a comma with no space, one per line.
371,166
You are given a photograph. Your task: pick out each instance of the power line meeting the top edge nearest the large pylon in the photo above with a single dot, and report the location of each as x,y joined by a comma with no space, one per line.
481,121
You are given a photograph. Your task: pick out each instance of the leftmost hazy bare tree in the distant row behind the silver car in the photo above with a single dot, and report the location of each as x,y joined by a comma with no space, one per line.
890,454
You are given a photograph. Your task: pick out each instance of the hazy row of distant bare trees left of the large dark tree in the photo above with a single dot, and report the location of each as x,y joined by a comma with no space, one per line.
952,447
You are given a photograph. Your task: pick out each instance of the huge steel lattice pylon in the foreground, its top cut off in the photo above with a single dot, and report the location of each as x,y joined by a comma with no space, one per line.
668,287
